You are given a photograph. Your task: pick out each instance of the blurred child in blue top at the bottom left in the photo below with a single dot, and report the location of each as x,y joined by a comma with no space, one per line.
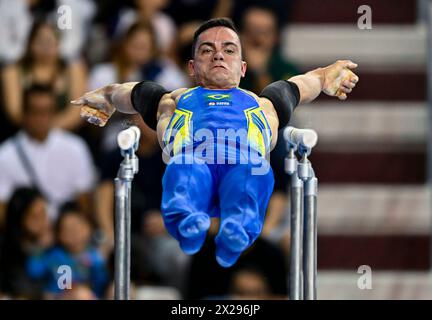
72,248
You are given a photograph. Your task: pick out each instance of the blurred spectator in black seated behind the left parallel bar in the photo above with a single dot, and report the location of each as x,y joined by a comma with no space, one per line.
158,260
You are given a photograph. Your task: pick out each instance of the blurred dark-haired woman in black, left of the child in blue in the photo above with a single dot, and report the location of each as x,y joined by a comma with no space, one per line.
27,231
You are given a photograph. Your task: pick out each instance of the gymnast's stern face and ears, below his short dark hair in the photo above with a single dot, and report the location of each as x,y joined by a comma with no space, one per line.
217,62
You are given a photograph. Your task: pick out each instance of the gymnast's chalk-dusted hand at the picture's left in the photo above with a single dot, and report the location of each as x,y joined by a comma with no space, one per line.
96,106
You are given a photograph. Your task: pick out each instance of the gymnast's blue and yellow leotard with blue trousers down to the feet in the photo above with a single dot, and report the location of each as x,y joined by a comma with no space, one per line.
217,141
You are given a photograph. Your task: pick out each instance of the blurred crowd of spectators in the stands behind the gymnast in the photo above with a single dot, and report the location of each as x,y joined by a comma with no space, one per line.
57,172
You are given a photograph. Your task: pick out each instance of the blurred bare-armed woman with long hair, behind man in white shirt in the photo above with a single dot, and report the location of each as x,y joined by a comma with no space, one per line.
42,64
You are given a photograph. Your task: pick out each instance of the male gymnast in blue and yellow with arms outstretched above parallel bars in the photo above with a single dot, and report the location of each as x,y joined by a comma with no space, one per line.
220,181
